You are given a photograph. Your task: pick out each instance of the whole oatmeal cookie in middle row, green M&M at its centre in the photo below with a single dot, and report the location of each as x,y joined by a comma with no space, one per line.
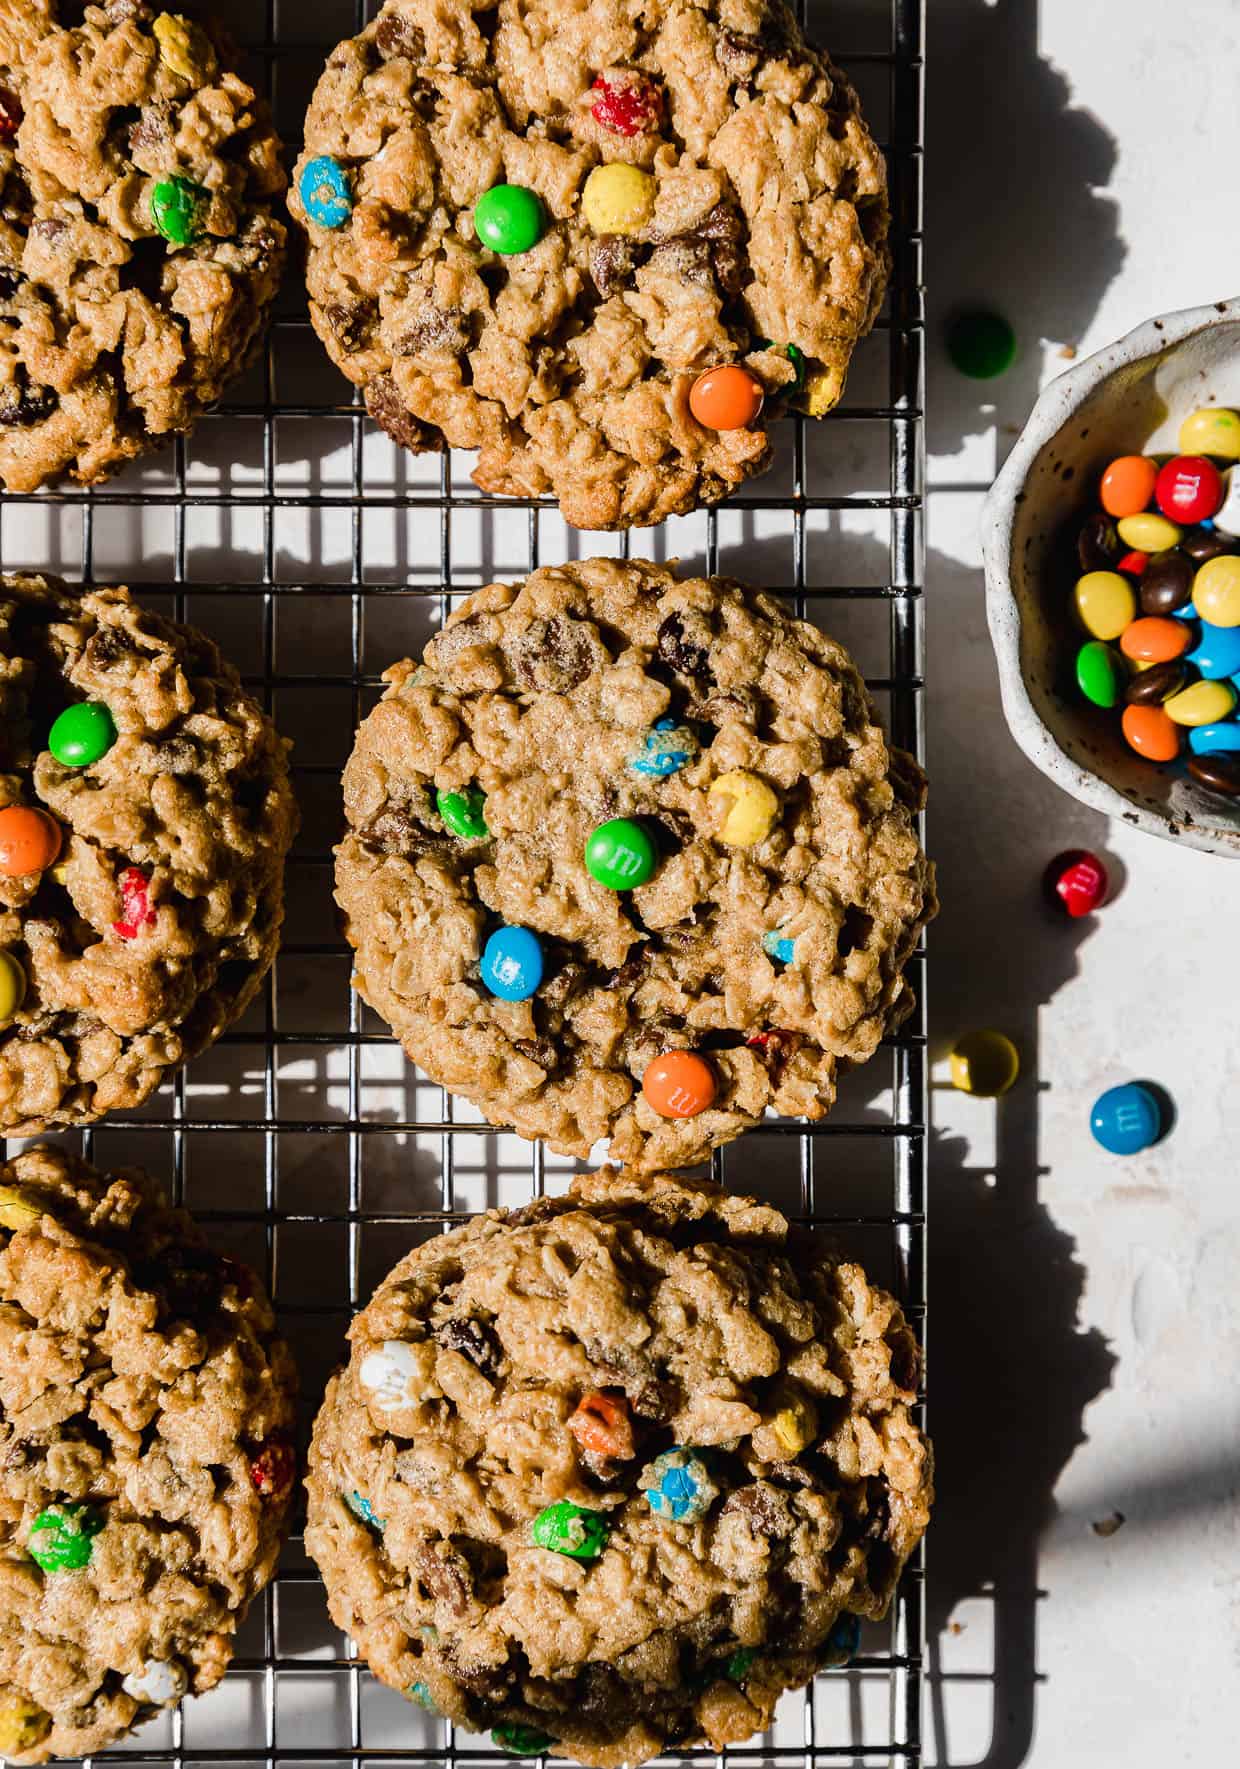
631,859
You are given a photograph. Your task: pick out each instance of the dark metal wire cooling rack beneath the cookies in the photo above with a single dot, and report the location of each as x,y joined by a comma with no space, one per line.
318,555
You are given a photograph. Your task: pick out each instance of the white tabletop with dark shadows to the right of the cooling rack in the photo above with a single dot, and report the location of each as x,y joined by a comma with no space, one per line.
1085,1315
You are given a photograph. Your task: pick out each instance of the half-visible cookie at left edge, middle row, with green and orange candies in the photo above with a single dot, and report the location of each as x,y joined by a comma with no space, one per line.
144,822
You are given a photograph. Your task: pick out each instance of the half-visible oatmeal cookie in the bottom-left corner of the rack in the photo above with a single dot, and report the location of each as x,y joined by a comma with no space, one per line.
146,1455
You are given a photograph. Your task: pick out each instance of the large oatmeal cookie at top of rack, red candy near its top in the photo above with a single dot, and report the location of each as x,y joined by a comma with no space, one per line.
742,220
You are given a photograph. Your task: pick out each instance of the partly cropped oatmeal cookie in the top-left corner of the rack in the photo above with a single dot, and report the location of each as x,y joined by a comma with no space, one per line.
139,249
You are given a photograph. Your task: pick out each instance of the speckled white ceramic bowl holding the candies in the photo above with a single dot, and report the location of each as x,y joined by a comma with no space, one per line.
1126,401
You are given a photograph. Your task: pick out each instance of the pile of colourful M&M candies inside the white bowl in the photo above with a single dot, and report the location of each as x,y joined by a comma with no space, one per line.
1160,602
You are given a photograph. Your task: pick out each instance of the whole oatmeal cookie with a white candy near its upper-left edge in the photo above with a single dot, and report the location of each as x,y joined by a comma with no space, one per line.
611,1474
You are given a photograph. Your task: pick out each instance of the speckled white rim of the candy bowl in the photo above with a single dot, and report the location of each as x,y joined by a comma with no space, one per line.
1050,415
